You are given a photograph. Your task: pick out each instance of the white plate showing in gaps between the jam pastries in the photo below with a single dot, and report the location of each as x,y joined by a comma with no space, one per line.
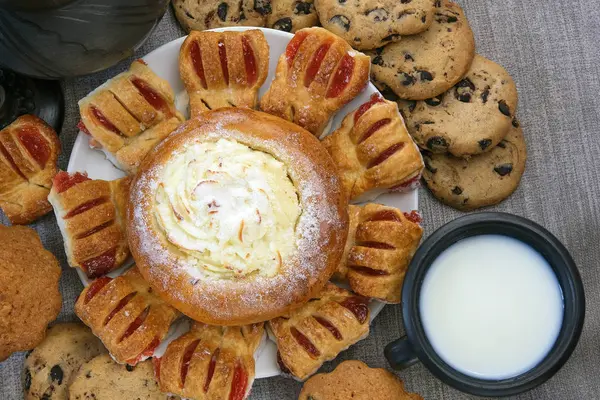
164,62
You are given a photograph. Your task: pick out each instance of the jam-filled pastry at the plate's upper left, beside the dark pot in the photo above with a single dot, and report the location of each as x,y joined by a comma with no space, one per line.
128,115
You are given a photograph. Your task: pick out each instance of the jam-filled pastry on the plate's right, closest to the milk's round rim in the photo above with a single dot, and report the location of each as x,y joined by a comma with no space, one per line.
381,243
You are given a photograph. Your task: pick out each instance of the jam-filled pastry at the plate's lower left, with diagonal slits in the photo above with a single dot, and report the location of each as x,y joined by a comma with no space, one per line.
126,315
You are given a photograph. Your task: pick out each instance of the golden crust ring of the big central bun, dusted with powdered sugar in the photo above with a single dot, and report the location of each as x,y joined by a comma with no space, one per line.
320,231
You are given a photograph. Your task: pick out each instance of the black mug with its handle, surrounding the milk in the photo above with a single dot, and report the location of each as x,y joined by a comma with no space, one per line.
398,353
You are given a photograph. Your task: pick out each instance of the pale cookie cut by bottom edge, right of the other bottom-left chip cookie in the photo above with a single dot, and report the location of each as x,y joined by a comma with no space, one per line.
102,378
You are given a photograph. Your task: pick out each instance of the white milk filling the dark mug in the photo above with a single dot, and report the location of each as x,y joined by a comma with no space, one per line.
491,306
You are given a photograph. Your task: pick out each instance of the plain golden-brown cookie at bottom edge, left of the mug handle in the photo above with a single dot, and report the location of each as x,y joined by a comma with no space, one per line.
355,380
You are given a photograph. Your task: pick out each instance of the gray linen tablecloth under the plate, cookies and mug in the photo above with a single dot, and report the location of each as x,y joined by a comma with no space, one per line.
551,48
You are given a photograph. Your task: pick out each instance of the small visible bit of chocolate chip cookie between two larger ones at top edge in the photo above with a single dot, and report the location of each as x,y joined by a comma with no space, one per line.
292,15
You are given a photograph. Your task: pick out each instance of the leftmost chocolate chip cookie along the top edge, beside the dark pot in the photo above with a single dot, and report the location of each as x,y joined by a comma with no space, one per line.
207,14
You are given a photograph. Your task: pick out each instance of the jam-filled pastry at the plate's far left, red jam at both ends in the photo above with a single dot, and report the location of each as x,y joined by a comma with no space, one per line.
91,217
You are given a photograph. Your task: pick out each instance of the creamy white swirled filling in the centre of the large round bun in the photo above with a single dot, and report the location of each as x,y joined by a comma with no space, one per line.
229,209
